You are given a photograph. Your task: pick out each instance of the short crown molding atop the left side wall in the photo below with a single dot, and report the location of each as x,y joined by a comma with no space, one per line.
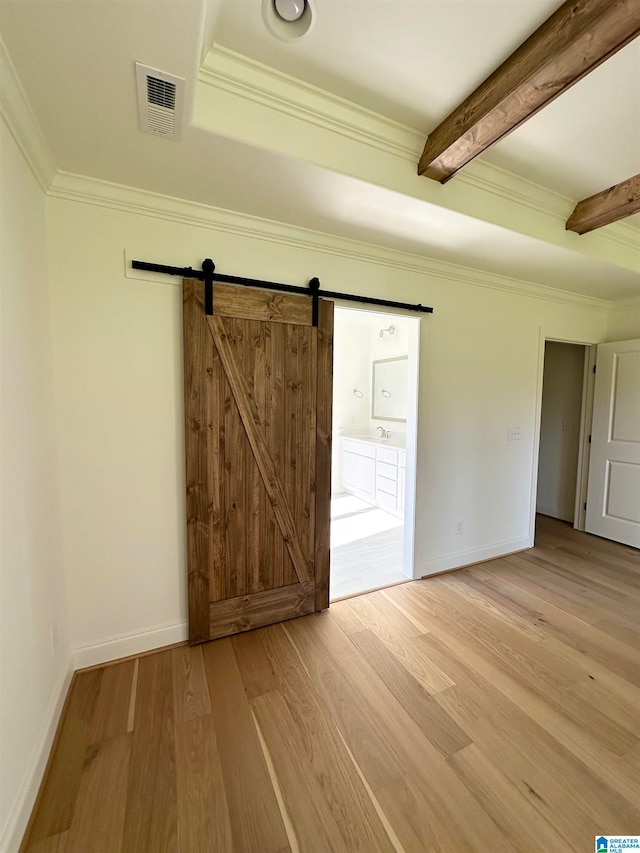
22,123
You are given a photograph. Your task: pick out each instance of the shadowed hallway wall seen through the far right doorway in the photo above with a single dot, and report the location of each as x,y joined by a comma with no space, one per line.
560,429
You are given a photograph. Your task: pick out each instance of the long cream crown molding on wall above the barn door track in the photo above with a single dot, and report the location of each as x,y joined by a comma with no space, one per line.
84,190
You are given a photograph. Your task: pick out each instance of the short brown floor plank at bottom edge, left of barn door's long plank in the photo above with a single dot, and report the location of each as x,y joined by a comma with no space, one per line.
203,814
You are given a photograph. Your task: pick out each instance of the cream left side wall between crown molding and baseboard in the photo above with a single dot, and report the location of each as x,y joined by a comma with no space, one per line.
33,676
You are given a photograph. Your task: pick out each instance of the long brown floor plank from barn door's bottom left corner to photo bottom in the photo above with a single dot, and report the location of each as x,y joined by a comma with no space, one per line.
256,822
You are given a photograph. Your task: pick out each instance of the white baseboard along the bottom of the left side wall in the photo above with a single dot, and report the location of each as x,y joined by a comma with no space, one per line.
13,831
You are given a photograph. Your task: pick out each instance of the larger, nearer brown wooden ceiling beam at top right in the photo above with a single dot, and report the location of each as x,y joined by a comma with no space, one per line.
578,37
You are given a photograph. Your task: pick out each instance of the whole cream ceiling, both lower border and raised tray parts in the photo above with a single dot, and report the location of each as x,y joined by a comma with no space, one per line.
411,61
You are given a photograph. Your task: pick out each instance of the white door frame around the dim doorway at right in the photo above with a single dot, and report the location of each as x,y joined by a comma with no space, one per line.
586,414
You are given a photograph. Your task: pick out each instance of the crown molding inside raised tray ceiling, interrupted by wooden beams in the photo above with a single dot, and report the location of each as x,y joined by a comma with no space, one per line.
253,81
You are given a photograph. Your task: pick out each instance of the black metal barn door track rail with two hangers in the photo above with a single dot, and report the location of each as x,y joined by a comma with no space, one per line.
209,275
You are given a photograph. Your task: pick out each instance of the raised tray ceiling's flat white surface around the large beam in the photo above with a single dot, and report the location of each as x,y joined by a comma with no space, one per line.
416,60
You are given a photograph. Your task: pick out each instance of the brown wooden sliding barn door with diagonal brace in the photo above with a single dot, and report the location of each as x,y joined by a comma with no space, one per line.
258,383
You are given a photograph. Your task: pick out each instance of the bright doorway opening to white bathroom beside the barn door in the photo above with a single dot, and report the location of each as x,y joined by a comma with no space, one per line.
374,445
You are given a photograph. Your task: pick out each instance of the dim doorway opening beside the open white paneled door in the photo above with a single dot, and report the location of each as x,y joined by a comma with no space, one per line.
563,456
